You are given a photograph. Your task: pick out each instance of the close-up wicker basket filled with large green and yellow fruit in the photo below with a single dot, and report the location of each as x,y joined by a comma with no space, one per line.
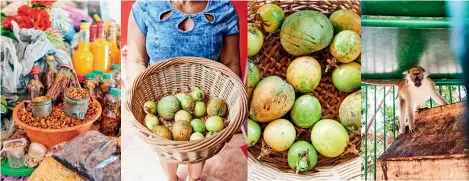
306,71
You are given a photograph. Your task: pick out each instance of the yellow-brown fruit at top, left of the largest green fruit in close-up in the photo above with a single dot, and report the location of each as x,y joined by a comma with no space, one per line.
272,17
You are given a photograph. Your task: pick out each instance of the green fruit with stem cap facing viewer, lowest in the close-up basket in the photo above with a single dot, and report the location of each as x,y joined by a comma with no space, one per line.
302,156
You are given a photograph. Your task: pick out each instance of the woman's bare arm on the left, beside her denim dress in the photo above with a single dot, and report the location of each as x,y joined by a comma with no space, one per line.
137,53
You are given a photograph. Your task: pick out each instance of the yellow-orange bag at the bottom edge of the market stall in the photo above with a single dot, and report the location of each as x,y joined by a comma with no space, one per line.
50,169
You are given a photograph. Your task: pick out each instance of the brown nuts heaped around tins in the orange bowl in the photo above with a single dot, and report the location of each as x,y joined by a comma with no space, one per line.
57,119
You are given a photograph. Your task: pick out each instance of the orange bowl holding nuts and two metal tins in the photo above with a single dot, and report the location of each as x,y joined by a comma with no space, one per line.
51,137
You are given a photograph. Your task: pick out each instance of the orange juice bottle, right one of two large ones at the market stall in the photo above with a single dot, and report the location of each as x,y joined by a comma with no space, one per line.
101,50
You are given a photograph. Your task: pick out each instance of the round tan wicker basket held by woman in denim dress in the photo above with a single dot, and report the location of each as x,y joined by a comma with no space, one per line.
182,74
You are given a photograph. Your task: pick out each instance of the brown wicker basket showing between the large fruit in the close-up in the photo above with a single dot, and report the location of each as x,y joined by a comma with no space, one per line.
272,59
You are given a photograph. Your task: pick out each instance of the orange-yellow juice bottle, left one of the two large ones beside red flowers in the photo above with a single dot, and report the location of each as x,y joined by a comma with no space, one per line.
83,59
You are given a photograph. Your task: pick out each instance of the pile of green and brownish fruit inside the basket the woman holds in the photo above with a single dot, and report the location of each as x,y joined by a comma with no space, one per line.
191,119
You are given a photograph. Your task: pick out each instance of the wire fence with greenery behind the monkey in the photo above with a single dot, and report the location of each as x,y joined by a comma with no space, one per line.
381,115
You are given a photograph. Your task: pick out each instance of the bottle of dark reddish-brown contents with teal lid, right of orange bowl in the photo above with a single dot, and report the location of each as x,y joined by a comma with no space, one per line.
110,120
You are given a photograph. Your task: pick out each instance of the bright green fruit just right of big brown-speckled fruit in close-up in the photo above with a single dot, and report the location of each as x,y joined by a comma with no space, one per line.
306,111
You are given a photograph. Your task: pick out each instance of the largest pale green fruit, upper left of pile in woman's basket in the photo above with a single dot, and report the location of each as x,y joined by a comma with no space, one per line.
168,106
